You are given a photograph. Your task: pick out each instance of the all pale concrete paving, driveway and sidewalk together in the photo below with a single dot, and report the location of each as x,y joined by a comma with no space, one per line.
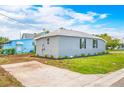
35,74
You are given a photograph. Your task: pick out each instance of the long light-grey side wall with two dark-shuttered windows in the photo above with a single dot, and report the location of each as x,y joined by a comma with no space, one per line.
70,46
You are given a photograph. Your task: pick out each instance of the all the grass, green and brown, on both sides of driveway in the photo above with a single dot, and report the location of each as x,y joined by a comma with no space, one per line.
86,65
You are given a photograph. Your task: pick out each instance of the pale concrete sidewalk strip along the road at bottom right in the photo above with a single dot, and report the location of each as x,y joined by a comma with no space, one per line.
109,80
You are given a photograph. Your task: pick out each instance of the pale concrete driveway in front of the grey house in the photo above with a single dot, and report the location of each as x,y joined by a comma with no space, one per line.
35,74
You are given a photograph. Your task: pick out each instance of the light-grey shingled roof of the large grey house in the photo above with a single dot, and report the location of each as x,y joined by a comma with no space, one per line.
65,32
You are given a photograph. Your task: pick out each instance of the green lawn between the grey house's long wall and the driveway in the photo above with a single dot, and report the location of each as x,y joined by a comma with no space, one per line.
92,65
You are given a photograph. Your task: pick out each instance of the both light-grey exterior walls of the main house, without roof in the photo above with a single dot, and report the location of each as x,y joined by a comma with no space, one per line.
61,46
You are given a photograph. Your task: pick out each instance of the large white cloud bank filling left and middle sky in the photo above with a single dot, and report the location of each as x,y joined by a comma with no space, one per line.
49,17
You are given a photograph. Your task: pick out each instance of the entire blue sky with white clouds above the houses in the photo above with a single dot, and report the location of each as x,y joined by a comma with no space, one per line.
92,19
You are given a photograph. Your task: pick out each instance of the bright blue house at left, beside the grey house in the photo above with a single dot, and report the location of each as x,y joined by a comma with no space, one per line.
20,45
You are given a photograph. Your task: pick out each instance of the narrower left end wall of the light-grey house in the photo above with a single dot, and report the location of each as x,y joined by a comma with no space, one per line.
50,49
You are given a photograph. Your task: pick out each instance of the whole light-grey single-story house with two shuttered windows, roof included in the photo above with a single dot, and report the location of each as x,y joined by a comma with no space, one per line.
63,42
